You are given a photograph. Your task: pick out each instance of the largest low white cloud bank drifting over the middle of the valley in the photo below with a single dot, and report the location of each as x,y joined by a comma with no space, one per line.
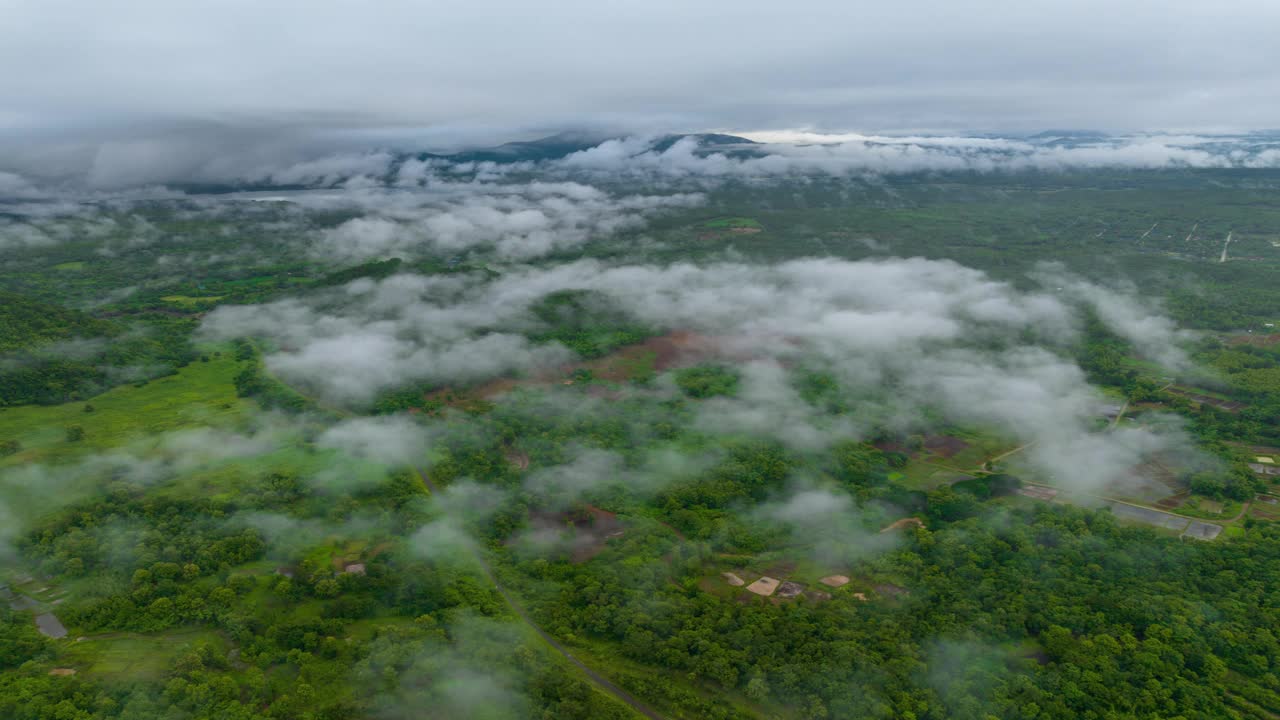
906,338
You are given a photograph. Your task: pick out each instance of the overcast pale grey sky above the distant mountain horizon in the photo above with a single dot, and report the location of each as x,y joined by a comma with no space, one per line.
500,65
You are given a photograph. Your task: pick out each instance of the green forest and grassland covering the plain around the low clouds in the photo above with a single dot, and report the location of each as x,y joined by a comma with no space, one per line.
227,548
